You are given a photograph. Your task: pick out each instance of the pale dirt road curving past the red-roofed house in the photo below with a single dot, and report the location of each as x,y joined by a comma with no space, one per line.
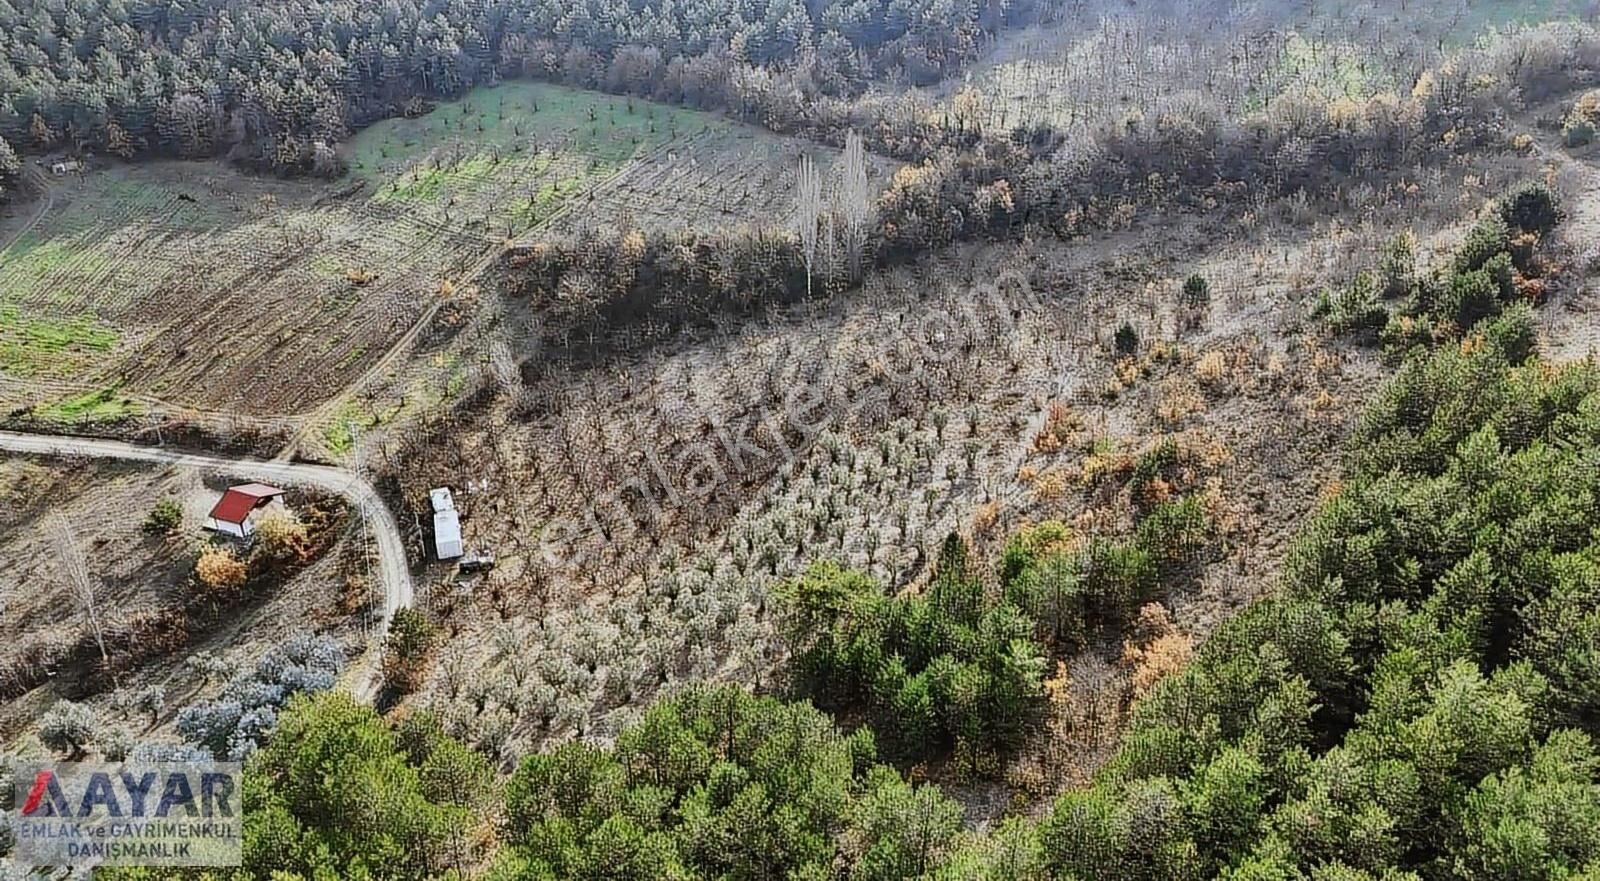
393,565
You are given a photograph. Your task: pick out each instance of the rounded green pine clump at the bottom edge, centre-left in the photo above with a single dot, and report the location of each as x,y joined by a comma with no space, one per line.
722,784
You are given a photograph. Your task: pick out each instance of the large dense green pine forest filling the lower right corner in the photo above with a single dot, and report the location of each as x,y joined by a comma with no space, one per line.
1418,703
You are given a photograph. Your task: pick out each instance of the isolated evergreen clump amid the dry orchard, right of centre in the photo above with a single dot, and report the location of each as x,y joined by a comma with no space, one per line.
958,669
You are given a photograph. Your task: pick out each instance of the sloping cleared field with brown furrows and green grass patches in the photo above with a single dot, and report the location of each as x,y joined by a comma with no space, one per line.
196,285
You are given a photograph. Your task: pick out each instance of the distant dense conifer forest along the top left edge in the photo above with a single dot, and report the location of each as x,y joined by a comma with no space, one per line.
274,86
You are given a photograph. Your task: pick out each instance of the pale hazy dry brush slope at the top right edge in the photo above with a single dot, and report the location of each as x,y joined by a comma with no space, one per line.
1097,65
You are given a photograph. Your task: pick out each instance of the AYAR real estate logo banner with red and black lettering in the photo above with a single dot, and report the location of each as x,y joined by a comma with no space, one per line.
156,815
